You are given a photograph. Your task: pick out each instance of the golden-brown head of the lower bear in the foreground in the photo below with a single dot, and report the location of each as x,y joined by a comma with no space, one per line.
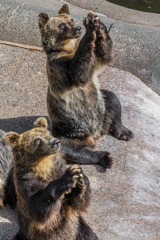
34,144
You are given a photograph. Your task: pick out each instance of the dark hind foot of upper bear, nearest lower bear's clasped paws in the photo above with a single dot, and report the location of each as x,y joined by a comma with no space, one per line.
105,159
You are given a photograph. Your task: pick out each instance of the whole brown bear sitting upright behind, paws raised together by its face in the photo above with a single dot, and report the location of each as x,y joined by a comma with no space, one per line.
78,109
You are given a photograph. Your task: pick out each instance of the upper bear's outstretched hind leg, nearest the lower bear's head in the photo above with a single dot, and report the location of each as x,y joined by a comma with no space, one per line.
77,151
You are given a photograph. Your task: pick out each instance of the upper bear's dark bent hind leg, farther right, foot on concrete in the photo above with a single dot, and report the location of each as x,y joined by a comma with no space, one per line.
113,117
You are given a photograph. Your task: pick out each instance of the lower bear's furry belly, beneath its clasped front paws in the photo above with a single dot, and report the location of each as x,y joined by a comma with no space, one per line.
55,227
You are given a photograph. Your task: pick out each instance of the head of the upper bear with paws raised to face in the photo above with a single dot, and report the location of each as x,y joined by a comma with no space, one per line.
57,29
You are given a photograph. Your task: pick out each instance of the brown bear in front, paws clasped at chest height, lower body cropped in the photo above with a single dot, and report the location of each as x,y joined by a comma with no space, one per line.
50,196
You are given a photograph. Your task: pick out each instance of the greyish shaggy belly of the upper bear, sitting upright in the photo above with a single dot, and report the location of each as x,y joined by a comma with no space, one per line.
78,113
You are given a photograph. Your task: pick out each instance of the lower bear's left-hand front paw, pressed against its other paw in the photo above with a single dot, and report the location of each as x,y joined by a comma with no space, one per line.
71,177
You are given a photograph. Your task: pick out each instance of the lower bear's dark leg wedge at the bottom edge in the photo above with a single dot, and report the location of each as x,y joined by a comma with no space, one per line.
85,232
